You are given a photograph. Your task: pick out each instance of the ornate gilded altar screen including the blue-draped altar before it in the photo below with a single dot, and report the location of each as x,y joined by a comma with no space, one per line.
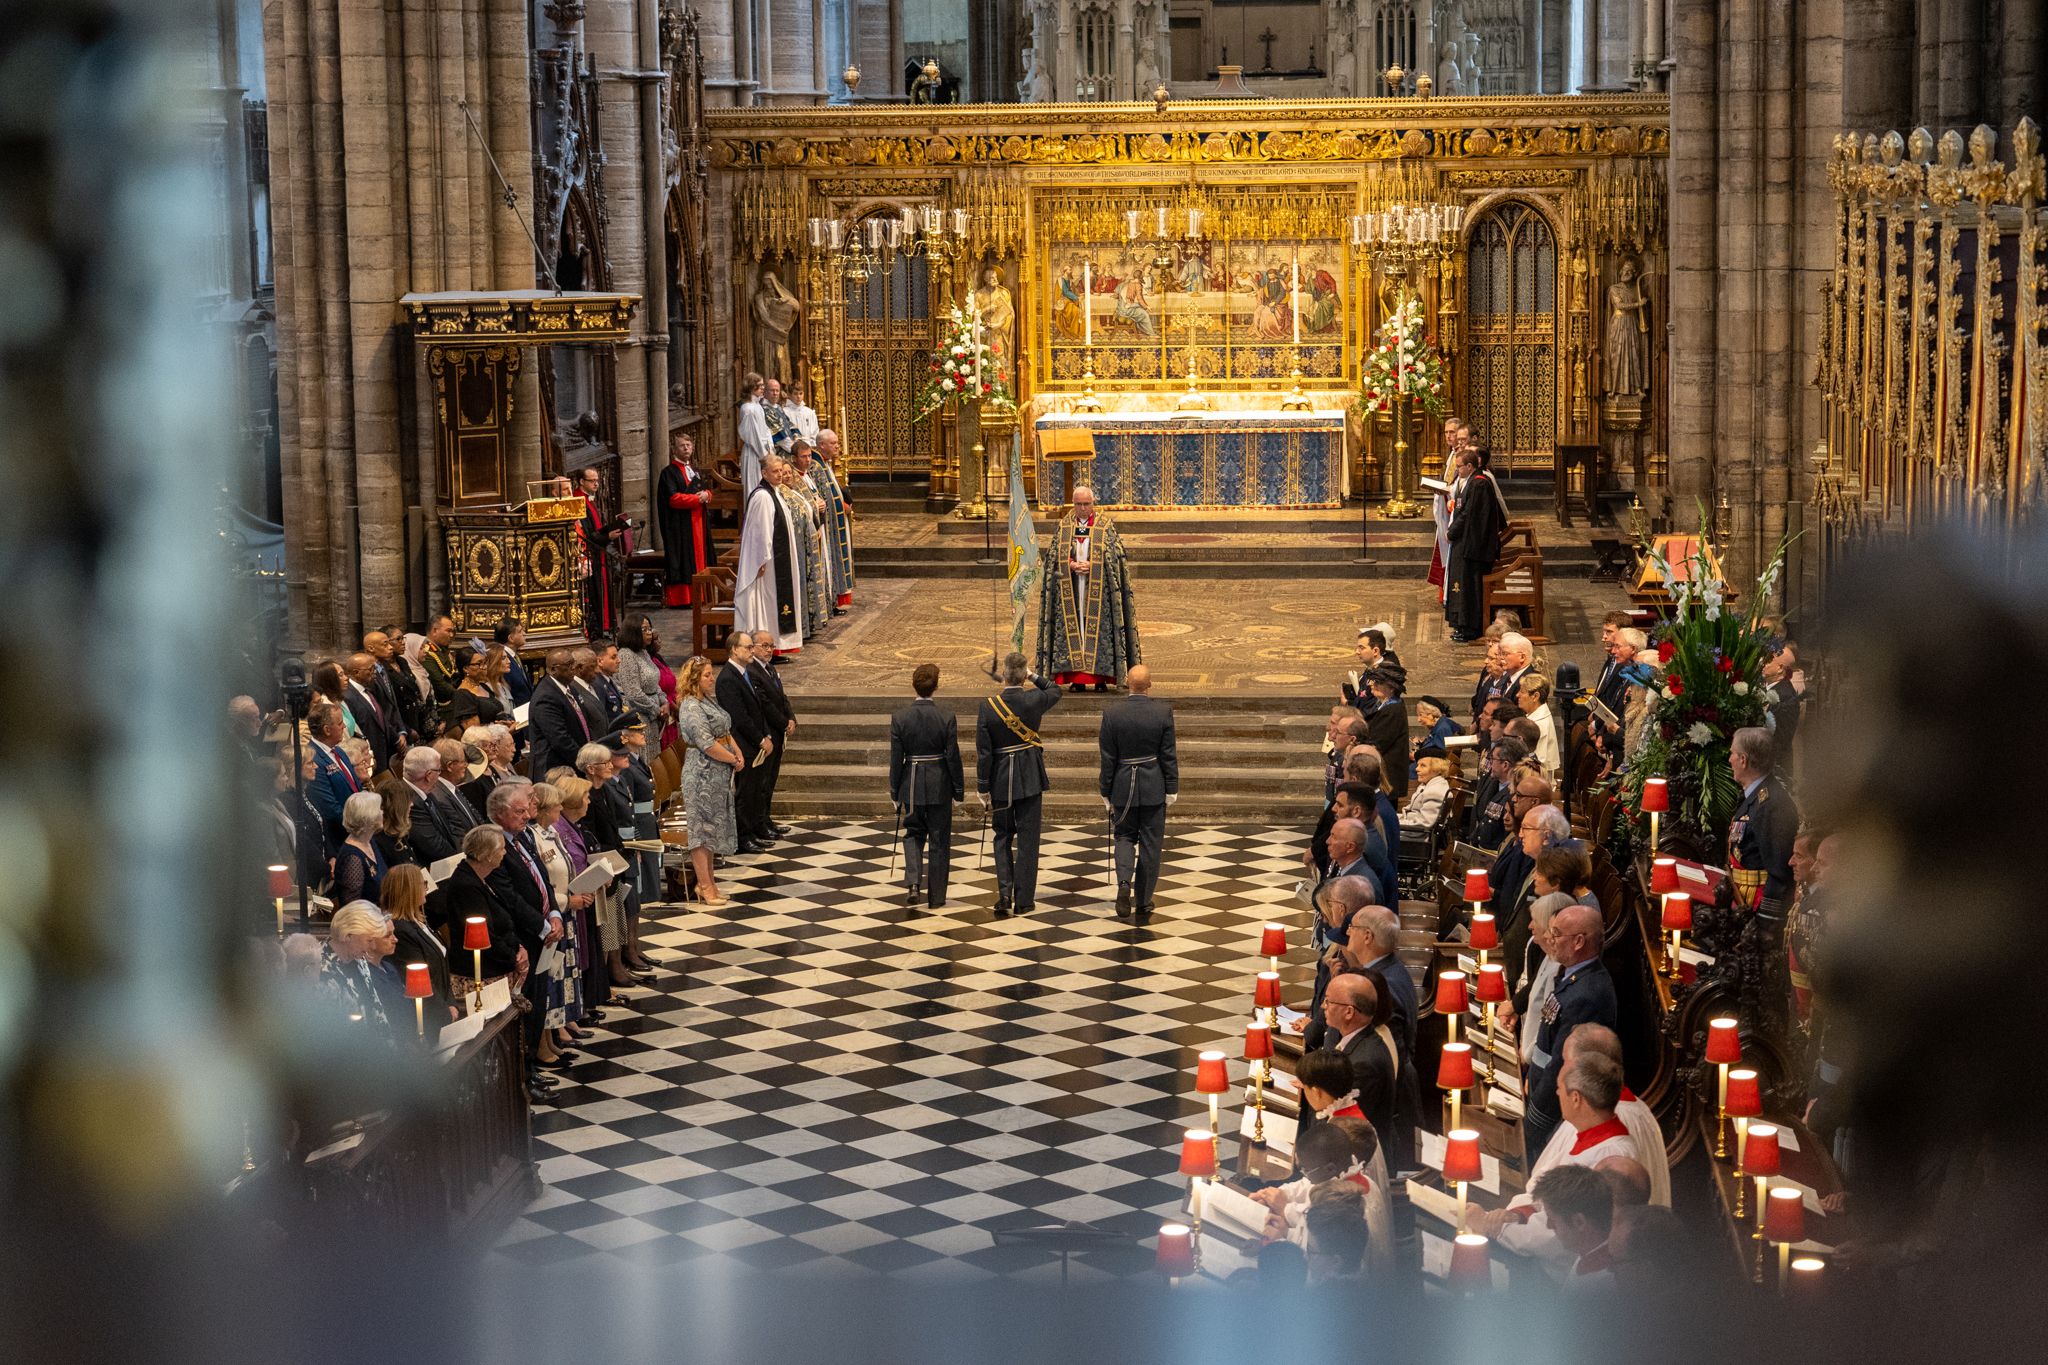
1197,281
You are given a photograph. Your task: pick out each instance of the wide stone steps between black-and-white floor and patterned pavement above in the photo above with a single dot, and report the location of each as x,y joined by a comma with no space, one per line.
1242,760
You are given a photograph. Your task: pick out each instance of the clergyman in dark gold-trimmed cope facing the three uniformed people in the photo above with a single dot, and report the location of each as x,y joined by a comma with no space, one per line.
1089,627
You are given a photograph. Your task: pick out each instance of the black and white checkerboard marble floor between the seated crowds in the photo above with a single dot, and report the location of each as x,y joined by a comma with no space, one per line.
830,1084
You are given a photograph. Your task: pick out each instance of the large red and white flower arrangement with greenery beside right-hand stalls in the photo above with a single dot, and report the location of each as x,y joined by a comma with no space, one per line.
1705,674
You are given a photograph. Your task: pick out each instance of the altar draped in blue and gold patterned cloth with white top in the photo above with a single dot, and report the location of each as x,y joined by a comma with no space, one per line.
1228,459
